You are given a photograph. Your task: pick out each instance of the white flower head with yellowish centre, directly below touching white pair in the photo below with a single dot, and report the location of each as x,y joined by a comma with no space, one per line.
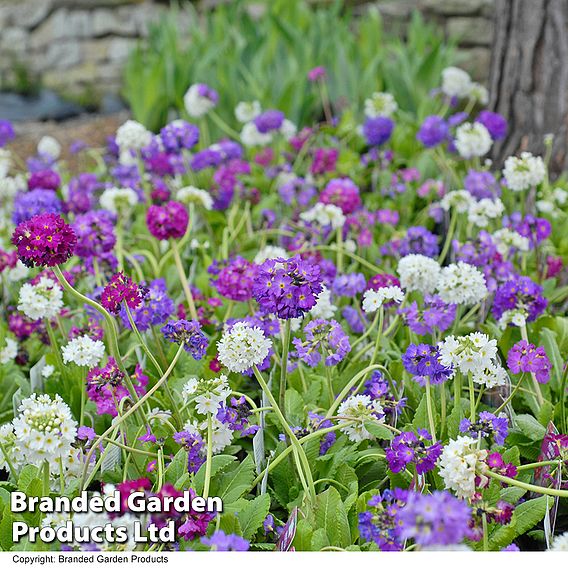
468,353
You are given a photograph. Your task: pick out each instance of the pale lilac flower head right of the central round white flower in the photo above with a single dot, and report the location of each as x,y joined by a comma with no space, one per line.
322,336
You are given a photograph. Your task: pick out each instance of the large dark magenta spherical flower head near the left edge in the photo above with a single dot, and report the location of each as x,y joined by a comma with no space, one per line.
44,240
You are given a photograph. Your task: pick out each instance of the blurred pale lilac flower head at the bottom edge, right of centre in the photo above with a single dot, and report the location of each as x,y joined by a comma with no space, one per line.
435,519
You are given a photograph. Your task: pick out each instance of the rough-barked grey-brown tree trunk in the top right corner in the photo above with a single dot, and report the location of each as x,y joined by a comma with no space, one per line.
529,77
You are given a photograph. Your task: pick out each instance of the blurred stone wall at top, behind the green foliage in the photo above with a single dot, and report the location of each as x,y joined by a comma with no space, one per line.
78,47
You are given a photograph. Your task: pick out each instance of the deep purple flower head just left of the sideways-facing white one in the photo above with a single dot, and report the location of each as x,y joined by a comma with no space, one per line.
407,448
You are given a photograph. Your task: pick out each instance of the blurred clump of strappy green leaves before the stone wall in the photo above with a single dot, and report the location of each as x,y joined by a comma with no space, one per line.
267,57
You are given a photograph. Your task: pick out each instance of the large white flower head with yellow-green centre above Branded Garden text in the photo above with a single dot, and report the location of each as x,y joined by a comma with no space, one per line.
44,429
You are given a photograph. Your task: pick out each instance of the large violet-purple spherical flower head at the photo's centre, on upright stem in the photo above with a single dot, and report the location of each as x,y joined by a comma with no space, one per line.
288,288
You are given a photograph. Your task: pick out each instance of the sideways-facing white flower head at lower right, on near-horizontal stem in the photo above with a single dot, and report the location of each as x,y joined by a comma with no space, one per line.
459,464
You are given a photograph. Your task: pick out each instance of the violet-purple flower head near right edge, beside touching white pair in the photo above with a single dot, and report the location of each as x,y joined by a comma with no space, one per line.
519,294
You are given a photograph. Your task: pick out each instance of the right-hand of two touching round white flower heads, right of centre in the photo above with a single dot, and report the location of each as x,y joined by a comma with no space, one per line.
461,283
